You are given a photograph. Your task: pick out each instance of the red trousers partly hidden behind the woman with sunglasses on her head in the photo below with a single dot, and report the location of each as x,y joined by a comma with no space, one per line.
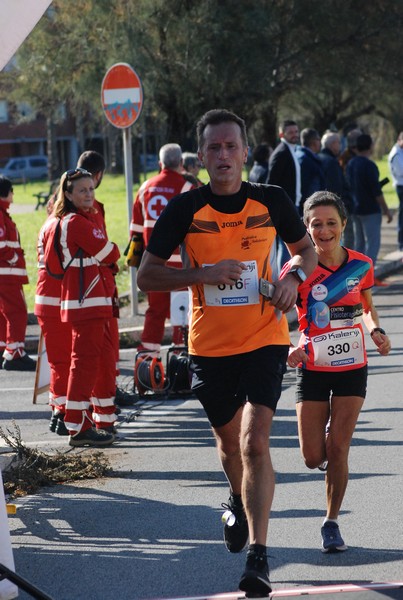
57,337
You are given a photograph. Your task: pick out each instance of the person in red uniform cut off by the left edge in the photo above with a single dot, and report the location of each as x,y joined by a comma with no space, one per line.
13,275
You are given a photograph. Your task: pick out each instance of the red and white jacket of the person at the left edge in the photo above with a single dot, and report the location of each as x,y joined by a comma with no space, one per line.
12,261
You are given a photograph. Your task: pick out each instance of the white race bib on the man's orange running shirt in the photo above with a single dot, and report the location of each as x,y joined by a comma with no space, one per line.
243,292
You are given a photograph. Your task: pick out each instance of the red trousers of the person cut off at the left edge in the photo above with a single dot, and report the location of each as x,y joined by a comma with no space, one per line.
13,318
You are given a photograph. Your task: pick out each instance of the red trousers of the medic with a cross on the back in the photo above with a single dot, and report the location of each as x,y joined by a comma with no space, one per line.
159,304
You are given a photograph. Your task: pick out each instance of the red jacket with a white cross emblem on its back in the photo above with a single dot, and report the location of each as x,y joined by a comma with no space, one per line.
152,197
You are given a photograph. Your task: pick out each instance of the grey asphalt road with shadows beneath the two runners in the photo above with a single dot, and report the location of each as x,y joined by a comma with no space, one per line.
153,530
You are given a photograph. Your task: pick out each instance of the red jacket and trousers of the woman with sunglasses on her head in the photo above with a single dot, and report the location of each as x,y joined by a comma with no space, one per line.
86,301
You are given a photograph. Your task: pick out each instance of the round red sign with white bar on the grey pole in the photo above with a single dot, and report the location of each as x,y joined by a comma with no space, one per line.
122,95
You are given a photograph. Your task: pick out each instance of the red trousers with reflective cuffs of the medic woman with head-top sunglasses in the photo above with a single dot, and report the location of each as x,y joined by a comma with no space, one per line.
92,378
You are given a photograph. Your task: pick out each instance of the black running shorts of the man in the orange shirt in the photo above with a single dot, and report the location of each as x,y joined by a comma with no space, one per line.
223,384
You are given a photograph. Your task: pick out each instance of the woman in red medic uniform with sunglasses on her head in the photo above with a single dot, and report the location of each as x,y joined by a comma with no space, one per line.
86,304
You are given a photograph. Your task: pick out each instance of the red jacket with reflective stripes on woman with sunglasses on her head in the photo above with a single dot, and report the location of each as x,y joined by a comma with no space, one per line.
85,290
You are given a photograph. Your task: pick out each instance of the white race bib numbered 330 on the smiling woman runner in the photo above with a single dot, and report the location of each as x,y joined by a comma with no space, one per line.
338,348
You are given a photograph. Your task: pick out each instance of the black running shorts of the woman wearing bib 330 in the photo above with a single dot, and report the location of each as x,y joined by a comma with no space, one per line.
322,385
